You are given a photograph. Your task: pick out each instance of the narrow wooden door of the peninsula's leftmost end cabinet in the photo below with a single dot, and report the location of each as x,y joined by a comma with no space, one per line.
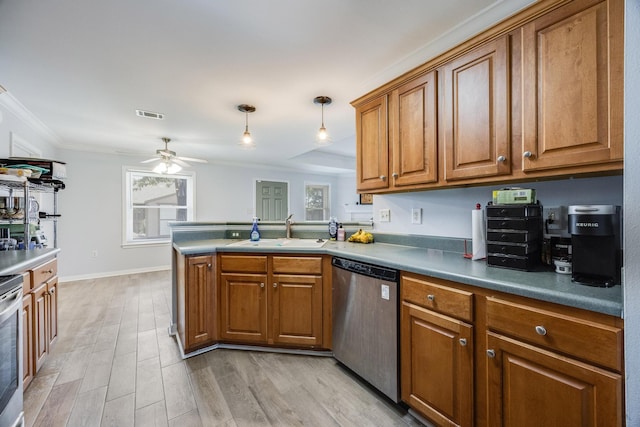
200,299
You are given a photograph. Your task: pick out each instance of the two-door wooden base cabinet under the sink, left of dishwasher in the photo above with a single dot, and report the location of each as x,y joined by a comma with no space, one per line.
272,300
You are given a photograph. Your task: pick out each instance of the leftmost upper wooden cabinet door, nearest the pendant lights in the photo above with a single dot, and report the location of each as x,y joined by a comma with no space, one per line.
372,145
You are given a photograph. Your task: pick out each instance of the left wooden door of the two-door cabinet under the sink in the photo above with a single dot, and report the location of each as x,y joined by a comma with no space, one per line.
243,307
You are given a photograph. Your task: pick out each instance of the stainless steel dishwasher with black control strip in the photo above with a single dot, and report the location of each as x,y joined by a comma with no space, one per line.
365,322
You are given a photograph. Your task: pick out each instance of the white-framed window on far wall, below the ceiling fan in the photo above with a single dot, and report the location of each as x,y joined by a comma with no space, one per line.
151,201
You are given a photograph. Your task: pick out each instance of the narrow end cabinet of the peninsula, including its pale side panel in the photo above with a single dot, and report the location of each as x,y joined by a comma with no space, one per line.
196,297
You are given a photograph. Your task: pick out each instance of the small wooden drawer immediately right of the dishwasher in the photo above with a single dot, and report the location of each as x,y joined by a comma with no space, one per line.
443,299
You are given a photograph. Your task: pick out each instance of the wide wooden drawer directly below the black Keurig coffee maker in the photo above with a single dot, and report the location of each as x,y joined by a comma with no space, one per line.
577,337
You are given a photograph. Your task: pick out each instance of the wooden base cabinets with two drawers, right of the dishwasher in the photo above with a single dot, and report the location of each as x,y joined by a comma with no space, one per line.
474,357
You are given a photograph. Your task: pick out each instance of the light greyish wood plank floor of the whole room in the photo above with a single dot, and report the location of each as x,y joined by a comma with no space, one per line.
115,365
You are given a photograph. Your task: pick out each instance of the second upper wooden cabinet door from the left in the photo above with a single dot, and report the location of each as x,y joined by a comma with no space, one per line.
414,133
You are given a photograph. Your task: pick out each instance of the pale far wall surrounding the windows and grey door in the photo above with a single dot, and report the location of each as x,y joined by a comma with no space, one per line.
91,208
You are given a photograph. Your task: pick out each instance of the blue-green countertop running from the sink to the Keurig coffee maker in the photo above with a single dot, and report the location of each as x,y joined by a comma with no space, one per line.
541,285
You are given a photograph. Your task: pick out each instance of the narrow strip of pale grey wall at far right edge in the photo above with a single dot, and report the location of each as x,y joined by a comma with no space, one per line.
632,216
